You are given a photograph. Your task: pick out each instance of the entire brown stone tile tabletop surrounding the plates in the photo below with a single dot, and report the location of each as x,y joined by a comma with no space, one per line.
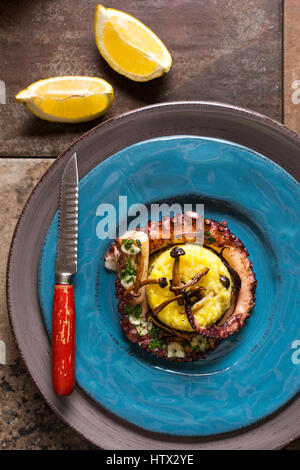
223,50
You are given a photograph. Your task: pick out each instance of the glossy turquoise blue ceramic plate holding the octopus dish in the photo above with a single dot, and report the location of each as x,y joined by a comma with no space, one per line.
249,375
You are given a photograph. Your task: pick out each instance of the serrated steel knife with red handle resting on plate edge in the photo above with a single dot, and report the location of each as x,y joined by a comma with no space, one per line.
63,313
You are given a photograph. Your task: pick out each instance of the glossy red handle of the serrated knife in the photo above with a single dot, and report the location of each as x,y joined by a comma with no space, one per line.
63,339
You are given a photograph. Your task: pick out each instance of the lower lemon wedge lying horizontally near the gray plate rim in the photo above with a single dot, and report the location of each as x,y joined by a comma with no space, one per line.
68,99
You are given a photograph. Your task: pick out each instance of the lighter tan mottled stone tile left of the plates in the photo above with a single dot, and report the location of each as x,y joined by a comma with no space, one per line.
26,421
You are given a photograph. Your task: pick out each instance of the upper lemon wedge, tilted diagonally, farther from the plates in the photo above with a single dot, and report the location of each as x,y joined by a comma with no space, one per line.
129,46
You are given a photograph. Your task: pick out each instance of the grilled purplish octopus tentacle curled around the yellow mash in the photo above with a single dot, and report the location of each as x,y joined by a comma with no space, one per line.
219,239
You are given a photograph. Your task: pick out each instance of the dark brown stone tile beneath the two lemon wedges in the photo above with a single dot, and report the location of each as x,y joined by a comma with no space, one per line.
223,50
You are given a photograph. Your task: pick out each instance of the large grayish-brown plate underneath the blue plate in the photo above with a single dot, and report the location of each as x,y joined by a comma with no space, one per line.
206,119
